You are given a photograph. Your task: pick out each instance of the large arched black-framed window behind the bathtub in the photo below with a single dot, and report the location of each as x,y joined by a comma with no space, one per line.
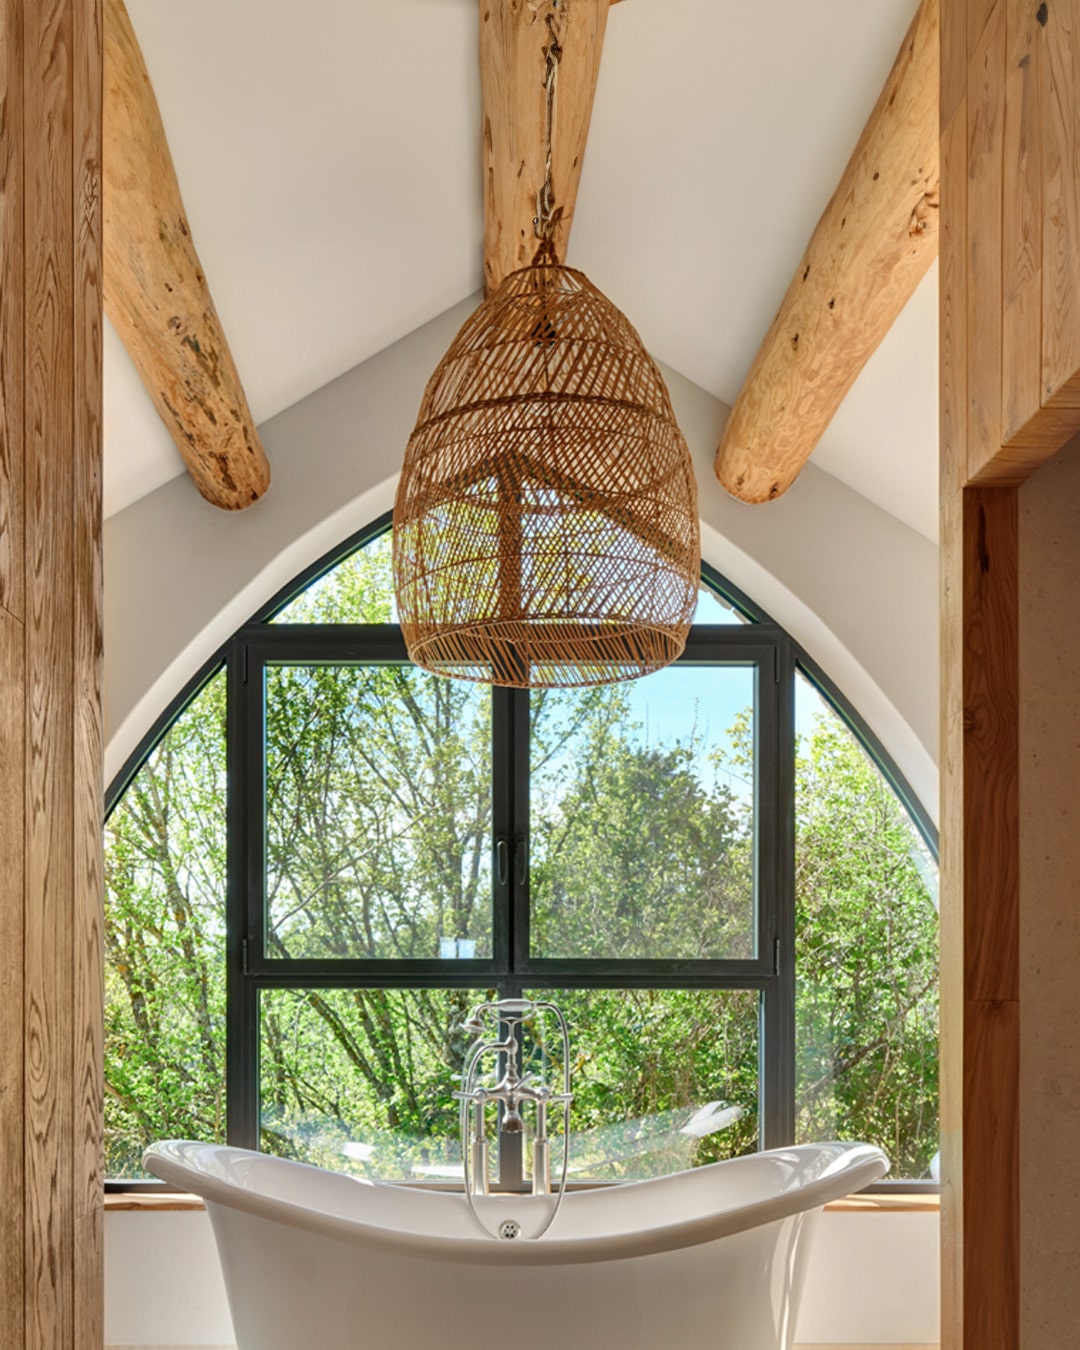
327,855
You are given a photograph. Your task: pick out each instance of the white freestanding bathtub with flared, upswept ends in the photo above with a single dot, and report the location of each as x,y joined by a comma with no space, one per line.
705,1260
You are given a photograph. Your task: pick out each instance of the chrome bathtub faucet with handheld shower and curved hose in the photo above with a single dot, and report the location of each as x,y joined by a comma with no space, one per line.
511,1090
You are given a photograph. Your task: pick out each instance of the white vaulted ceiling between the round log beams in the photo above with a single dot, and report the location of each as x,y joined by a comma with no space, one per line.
329,159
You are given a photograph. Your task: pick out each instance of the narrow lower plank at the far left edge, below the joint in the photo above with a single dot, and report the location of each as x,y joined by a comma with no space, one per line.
13,1326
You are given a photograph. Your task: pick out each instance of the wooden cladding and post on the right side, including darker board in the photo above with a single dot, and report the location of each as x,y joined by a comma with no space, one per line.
1010,362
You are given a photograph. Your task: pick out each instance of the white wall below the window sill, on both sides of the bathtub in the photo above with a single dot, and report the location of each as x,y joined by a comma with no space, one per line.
873,1280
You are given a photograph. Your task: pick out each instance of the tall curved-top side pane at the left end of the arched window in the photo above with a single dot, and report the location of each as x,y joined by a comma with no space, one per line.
165,943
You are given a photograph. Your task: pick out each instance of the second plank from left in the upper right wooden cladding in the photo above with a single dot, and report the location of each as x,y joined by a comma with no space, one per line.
986,140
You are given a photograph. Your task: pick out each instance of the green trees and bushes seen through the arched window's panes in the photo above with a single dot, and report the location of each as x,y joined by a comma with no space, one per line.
379,846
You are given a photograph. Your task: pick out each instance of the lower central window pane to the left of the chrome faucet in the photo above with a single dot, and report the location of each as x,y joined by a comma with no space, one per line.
362,1081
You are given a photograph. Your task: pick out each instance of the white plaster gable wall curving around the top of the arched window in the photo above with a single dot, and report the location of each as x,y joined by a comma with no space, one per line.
854,585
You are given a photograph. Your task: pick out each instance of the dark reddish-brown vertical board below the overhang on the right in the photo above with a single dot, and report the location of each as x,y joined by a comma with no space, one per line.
992,917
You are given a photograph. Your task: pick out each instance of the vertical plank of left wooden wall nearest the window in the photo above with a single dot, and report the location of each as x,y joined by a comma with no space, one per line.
88,736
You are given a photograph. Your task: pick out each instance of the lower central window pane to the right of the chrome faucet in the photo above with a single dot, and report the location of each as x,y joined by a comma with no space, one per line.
662,1079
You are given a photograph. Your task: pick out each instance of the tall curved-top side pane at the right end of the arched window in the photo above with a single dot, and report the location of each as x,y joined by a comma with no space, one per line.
867,952
